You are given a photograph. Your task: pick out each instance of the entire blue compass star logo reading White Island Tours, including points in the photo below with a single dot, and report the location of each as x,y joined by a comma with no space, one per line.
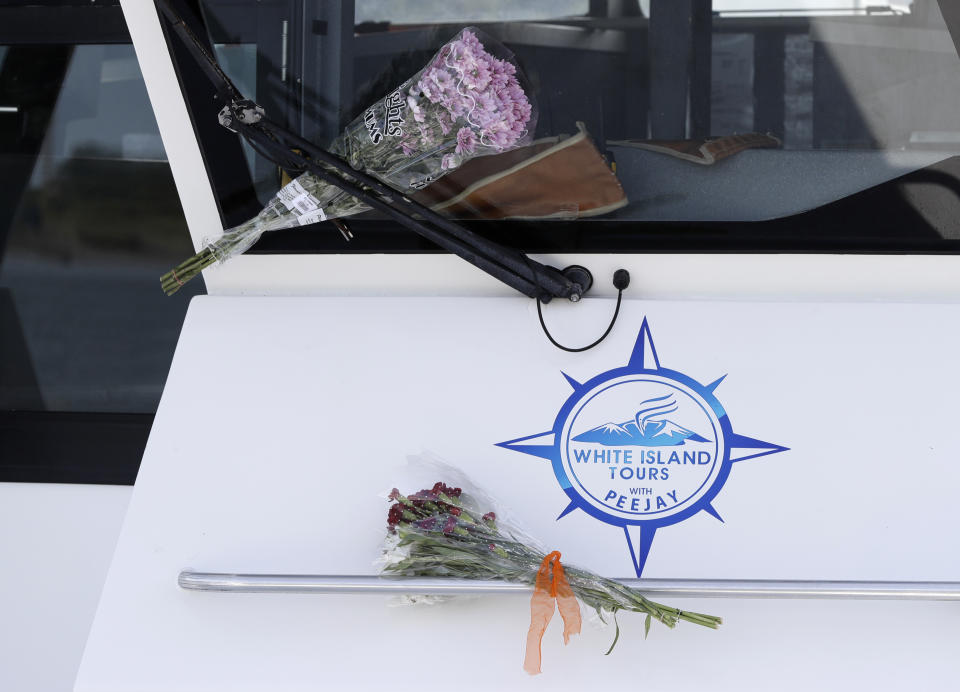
642,447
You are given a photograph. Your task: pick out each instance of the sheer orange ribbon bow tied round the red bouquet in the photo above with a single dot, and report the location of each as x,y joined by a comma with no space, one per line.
550,588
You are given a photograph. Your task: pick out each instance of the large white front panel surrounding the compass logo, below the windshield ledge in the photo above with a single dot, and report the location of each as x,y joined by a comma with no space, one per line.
269,457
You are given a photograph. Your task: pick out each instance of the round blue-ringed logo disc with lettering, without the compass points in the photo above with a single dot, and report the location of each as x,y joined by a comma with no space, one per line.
641,447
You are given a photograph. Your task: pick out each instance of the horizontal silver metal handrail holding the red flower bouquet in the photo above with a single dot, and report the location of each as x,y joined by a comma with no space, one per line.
705,588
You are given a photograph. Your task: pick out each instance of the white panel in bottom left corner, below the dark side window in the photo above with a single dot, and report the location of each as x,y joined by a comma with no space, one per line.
56,543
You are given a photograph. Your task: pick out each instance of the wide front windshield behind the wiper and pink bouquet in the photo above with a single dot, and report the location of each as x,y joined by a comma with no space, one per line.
732,125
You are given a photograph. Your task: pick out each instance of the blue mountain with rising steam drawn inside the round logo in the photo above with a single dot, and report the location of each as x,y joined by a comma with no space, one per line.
649,428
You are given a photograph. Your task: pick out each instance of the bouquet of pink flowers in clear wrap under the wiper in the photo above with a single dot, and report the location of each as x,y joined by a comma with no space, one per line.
471,100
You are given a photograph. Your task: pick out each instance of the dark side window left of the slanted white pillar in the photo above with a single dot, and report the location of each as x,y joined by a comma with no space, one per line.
90,218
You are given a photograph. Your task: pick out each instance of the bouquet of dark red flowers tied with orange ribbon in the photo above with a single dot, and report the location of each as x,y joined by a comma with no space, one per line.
444,532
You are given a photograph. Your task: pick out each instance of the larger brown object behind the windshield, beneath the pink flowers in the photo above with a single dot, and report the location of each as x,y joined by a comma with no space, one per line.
551,178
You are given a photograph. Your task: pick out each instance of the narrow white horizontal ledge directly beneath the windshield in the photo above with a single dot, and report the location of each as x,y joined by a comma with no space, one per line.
872,278
